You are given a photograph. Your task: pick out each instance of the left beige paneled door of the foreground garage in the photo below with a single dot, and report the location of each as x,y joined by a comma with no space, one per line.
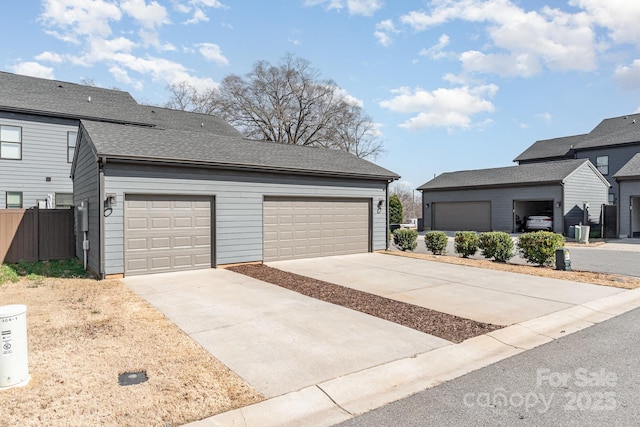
166,233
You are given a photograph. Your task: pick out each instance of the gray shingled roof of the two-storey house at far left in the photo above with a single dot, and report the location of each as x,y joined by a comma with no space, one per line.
68,100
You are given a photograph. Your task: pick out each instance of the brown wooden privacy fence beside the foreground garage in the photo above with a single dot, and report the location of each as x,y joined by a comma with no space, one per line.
36,234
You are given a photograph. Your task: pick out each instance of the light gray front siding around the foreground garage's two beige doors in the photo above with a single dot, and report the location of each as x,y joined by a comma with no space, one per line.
239,201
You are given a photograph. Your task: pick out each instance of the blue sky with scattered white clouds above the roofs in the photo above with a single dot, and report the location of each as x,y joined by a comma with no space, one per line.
452,85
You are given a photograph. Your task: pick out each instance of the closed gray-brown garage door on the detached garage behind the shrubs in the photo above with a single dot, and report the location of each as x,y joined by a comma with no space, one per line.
462,216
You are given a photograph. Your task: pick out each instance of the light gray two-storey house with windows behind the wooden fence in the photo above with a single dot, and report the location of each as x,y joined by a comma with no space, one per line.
39,121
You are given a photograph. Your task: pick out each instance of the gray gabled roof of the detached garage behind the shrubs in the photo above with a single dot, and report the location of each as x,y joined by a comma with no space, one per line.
521,175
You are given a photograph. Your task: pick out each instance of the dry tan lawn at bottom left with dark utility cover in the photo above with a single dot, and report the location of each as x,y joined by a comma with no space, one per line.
82,334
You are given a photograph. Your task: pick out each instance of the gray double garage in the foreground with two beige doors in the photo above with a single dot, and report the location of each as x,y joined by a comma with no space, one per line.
172,199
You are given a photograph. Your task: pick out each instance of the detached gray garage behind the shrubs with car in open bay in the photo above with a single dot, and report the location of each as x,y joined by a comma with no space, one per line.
501,198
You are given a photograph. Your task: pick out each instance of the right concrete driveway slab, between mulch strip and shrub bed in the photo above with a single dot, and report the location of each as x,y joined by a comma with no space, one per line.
490,296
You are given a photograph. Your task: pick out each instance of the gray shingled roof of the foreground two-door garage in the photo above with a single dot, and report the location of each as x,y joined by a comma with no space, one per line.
137,143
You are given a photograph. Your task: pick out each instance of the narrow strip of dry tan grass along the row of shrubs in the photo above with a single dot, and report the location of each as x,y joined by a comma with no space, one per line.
604,279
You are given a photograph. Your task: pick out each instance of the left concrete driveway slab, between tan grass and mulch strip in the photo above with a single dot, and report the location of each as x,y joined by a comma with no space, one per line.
277,340
